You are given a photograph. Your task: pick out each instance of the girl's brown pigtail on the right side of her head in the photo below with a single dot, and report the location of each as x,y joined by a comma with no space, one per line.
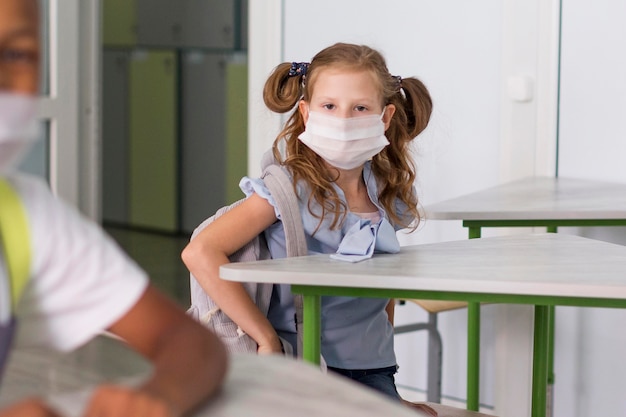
418,105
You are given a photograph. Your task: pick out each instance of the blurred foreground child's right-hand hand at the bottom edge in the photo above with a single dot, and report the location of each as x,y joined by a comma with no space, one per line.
110,400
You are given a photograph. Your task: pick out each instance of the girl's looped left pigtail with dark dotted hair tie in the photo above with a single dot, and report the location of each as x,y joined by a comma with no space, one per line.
284,86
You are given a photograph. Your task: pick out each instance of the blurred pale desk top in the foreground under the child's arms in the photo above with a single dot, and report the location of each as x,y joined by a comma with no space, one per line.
270,386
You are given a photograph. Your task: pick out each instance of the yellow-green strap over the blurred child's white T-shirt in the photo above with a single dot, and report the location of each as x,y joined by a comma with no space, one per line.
15,239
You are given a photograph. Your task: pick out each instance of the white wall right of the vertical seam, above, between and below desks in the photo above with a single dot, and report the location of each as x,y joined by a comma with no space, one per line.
590,366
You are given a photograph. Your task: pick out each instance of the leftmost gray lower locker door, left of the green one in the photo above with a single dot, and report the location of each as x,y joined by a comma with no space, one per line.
115,136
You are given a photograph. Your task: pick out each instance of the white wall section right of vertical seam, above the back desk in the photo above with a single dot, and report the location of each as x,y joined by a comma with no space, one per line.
593,90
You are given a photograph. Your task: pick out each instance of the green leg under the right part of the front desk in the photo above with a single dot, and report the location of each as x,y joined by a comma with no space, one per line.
540,361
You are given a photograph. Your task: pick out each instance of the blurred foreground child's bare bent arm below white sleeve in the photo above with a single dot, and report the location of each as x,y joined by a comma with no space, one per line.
189,361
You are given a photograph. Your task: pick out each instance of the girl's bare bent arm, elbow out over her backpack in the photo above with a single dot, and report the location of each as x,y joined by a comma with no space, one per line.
211,248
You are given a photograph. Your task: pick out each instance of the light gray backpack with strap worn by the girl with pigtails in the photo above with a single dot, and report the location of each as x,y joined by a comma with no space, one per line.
207,312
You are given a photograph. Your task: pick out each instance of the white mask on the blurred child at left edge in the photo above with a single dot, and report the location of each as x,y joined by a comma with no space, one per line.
18,128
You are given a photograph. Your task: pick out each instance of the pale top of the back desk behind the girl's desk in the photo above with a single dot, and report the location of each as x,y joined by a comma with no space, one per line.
544,198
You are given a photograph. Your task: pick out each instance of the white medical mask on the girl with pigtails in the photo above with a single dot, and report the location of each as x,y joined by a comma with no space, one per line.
345,143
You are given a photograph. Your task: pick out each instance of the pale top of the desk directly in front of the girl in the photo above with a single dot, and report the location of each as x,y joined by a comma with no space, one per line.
530,264
